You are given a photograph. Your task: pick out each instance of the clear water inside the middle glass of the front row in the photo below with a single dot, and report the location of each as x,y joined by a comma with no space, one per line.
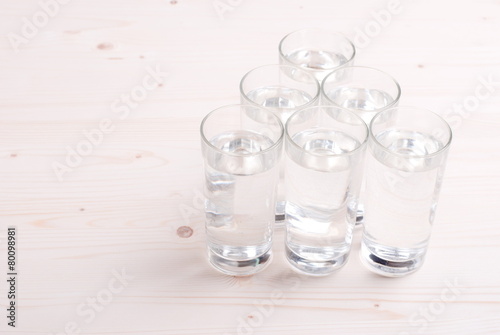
320,209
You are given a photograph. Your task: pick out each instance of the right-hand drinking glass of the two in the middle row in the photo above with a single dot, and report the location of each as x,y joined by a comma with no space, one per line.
363,90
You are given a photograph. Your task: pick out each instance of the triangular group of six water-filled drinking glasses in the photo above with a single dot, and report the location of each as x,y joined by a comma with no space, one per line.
320,146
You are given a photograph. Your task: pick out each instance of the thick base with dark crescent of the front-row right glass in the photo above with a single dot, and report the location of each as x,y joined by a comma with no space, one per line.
389,267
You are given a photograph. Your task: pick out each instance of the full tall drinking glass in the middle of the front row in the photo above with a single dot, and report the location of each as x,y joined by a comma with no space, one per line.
324,148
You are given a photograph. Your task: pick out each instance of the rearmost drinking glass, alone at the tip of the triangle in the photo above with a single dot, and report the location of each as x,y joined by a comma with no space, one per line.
316,51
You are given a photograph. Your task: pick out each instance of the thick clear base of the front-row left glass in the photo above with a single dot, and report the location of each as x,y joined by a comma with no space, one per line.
240,267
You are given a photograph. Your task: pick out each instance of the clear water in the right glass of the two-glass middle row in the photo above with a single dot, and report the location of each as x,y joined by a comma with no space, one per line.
361,100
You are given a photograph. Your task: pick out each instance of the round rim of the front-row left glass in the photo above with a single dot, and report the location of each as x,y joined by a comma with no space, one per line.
213,147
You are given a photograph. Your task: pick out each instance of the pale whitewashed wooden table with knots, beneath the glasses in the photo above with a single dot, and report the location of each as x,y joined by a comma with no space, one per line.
100,167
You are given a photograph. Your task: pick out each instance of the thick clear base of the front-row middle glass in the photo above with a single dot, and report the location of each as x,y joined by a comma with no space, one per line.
314,268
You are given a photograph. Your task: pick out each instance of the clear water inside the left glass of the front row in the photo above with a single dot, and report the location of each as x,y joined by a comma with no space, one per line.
241,198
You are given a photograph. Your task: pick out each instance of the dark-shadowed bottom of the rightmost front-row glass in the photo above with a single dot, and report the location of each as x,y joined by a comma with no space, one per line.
390,261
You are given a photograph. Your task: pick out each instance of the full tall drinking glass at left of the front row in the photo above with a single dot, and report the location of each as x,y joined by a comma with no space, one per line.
241,147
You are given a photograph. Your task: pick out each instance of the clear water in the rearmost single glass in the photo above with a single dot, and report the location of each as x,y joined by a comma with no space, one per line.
320,62
